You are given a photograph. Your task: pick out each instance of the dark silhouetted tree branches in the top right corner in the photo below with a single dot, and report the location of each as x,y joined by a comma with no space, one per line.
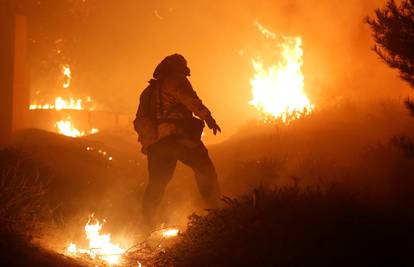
393,32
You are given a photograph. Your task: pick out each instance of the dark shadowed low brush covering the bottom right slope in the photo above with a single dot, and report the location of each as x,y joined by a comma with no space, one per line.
291,227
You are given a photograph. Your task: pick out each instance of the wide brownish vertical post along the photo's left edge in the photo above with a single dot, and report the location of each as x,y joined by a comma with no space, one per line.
14,88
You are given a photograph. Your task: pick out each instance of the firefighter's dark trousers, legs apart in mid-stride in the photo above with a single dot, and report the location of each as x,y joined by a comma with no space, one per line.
162,160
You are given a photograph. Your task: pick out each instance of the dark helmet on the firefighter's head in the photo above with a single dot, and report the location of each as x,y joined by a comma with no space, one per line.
172,65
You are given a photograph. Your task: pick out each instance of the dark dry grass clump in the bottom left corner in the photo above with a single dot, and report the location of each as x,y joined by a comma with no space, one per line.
24,211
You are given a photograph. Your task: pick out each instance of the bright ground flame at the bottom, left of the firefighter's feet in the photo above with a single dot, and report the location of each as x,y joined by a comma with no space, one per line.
100,245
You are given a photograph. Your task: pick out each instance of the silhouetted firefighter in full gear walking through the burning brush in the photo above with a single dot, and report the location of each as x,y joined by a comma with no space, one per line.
169,132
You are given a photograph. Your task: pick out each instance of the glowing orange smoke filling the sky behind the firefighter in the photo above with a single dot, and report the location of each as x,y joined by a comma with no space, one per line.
115,46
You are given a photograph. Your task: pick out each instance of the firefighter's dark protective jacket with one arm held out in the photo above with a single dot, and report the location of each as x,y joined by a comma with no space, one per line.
166,107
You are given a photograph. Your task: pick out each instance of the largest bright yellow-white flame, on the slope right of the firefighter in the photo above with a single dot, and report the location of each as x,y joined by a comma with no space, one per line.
278,89
